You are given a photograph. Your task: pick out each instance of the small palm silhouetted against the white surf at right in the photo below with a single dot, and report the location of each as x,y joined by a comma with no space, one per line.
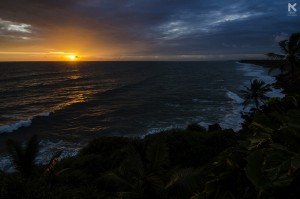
256,93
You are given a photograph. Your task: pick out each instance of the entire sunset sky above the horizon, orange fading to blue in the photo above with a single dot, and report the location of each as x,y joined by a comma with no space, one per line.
57,30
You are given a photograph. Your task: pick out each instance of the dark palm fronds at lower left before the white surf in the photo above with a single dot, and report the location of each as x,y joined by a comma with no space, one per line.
24,157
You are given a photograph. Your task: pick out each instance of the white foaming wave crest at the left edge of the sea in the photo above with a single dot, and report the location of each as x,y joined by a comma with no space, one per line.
24,123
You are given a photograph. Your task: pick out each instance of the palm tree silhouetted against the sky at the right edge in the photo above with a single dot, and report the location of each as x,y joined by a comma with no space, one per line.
291,51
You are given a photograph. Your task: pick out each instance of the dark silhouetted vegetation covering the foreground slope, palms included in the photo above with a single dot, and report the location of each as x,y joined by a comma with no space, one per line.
260,161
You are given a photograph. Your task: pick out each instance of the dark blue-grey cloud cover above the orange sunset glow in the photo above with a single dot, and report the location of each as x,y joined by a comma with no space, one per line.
156,27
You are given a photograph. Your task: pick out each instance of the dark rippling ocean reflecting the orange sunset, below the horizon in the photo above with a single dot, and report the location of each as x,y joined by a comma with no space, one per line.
68,103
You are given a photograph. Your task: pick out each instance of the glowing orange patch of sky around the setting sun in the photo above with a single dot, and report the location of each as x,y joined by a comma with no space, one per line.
58,47
